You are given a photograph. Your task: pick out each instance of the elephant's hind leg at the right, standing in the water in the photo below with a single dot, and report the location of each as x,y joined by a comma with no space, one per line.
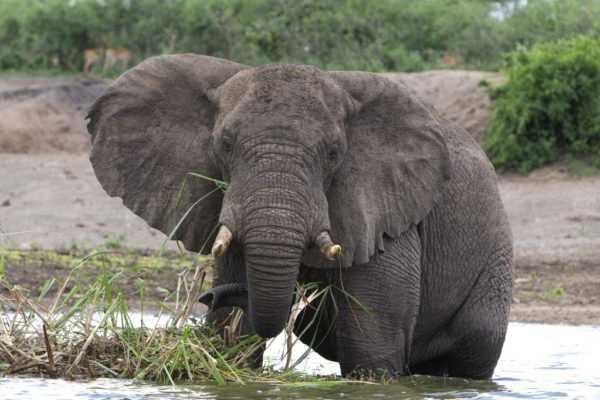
480,325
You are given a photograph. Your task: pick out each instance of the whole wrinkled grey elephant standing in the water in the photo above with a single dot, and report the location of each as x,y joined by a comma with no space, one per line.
411,199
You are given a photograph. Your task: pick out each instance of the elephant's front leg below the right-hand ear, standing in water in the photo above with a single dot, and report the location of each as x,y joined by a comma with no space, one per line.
389,288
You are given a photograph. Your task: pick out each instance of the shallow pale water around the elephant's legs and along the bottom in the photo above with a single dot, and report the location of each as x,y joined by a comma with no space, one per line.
538,362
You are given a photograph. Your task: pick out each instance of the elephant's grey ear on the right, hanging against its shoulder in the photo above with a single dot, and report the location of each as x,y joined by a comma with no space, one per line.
395,168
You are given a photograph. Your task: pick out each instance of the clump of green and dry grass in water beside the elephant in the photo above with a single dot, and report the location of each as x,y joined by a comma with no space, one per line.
85,331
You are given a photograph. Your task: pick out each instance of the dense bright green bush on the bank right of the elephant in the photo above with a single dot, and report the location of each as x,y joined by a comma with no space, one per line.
549,105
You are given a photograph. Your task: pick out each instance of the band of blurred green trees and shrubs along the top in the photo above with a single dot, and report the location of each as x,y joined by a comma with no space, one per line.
384,35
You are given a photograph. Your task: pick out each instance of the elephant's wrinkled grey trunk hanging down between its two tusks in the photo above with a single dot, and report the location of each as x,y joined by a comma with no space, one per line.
278,220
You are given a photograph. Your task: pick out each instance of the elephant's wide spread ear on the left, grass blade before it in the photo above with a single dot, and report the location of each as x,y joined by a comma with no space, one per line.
149,129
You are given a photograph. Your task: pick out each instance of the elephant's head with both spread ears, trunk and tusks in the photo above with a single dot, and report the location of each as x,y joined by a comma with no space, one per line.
312,159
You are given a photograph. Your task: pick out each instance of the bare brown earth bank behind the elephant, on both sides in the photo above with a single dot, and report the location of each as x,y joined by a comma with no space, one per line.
50,199
